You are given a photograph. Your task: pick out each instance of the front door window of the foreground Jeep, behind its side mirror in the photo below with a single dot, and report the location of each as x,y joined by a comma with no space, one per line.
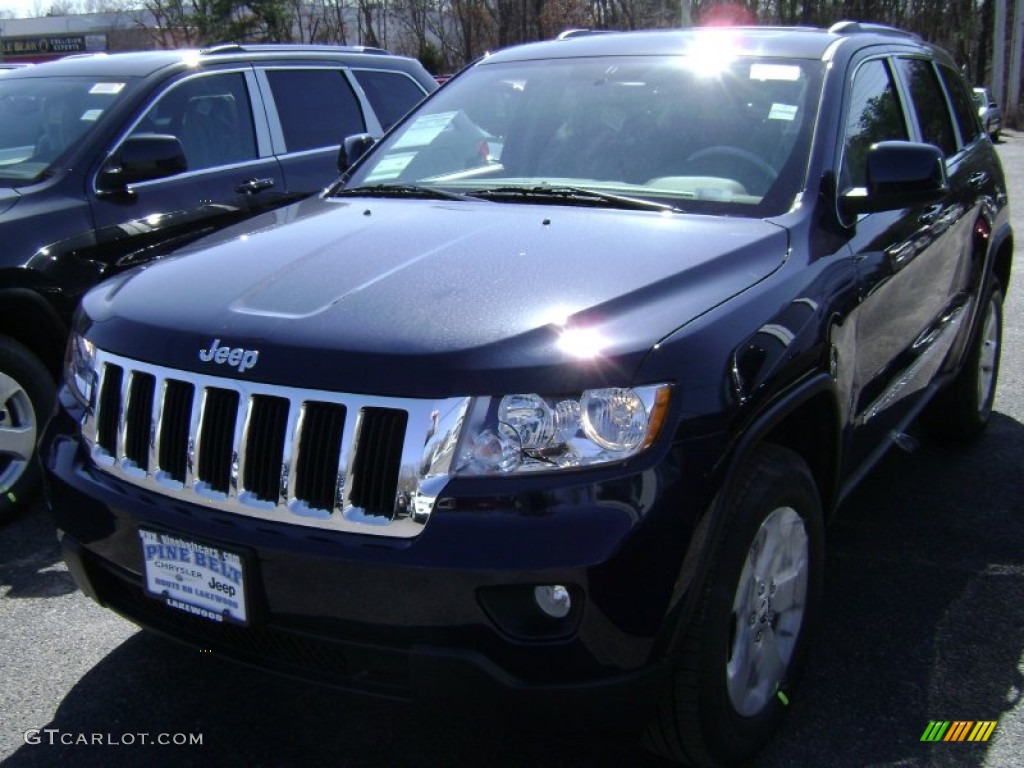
875,116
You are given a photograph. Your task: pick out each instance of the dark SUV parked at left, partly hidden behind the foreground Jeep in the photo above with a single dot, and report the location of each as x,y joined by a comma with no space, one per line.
107,161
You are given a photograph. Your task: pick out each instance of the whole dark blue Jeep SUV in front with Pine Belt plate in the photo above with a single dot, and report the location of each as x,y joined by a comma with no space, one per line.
622,319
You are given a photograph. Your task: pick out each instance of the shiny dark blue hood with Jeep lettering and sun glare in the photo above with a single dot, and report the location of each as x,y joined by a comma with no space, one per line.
412,297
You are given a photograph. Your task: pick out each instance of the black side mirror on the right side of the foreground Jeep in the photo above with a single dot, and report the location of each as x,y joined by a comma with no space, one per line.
900,175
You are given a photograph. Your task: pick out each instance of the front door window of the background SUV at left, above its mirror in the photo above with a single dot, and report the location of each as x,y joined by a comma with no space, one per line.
212,118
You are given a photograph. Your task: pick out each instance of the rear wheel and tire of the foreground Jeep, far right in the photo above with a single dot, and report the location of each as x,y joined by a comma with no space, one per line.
962,411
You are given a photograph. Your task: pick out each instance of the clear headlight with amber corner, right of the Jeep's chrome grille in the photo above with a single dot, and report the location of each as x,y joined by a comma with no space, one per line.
532,433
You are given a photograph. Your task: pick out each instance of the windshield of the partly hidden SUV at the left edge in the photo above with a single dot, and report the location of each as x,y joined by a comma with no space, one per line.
42,118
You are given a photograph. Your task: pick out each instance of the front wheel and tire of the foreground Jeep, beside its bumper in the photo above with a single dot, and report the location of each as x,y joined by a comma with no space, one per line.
745,650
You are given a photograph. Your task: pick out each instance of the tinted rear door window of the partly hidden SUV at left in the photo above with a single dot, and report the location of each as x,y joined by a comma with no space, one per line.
317,108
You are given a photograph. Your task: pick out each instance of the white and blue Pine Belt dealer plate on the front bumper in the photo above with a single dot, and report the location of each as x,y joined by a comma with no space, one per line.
197,579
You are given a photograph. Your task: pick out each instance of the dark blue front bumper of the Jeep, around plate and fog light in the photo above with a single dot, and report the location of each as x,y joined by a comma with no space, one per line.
446,617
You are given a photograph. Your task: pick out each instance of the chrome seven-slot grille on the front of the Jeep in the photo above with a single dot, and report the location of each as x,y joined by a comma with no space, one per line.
307,457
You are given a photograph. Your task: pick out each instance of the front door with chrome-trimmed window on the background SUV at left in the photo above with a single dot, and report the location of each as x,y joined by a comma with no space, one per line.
232,174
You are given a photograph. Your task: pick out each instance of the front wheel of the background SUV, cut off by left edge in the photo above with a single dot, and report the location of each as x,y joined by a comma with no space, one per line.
27,396
